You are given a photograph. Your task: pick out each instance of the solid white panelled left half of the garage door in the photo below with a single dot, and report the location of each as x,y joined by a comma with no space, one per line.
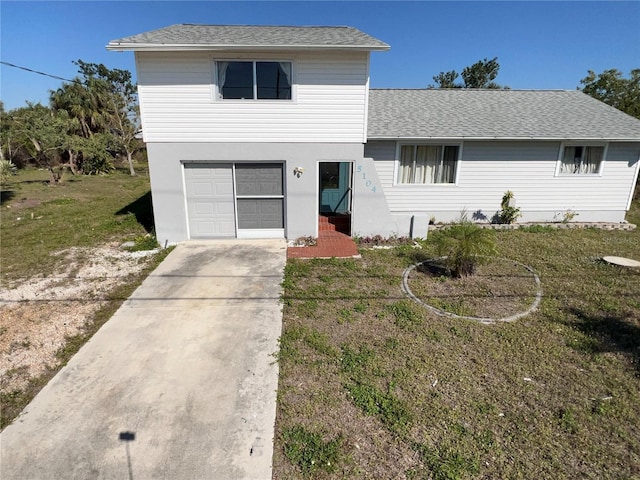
210,200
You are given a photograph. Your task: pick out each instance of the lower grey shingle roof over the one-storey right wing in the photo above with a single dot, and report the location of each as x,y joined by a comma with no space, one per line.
512,114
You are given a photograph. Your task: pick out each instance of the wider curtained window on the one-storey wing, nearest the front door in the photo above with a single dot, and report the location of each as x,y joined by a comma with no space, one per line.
428,163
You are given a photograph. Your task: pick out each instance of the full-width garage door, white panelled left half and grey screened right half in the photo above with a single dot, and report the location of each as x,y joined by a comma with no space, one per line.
228,200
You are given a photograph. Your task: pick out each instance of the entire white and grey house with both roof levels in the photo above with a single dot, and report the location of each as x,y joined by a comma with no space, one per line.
254,131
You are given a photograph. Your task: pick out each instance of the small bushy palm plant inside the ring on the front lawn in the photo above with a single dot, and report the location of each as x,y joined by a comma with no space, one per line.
464,246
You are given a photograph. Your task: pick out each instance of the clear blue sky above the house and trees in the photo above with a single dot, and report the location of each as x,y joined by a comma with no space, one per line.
539,45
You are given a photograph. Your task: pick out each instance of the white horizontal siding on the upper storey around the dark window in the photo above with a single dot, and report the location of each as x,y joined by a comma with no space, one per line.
177,101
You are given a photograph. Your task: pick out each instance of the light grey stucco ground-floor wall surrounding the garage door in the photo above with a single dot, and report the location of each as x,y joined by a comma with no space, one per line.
301,193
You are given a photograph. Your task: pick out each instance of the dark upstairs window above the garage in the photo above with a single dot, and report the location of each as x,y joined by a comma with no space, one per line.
254,80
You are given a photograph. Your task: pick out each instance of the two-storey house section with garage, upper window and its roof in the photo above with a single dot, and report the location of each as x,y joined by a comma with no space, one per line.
251,131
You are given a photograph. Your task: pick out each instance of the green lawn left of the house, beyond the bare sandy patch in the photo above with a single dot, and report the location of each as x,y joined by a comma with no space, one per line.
38,219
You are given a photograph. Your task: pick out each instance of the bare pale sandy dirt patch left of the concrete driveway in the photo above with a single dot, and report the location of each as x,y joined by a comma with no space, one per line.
37,315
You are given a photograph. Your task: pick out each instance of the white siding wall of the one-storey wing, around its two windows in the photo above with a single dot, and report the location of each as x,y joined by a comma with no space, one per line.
488,169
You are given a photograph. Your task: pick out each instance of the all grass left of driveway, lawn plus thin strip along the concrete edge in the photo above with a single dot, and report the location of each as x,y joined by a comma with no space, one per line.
38,220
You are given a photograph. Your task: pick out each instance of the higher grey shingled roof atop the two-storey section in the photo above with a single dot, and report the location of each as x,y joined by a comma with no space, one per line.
244,37
